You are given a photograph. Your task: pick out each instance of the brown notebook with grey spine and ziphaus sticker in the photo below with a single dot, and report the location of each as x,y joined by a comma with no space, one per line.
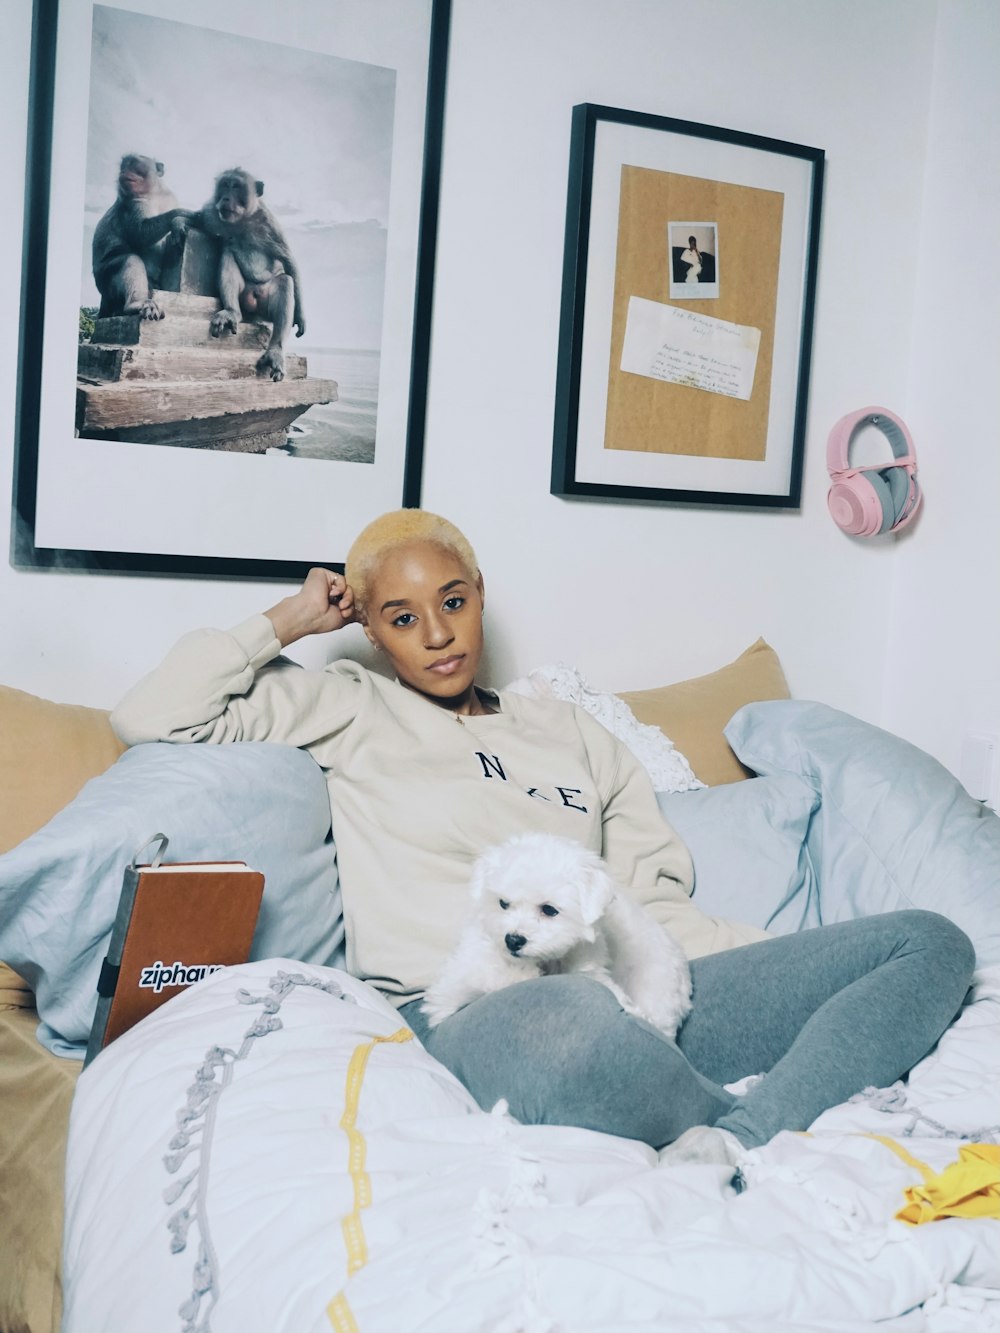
177,924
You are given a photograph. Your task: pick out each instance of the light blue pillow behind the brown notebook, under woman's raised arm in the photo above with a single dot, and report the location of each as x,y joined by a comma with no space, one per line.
250,802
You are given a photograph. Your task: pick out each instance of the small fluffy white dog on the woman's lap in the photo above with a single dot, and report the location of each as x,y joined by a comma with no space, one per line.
546,906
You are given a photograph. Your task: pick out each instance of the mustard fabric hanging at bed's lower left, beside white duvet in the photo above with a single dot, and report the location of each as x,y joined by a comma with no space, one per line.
37,1090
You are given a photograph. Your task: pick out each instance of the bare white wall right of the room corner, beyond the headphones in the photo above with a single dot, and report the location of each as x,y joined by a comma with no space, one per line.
943,667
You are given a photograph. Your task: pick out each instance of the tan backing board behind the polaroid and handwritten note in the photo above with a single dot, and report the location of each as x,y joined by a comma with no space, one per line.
653,417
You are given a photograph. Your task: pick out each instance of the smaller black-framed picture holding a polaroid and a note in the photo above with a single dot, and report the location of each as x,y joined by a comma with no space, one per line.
646,431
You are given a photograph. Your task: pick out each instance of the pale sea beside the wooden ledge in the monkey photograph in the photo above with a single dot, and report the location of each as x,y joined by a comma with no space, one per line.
343,431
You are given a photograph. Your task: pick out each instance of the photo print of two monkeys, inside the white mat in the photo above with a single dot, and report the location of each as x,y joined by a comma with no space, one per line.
207,218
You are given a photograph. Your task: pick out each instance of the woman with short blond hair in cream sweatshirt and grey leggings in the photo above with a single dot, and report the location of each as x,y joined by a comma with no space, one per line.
427,770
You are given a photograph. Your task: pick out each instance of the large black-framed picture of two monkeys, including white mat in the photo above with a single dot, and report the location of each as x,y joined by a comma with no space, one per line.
230,239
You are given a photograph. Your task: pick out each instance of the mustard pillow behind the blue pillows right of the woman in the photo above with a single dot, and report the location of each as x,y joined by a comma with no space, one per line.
694,712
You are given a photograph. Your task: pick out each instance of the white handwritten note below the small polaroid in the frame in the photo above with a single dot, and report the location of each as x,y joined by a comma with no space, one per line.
679,346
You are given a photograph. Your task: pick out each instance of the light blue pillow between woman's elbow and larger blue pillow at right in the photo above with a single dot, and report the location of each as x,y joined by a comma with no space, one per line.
749,846
